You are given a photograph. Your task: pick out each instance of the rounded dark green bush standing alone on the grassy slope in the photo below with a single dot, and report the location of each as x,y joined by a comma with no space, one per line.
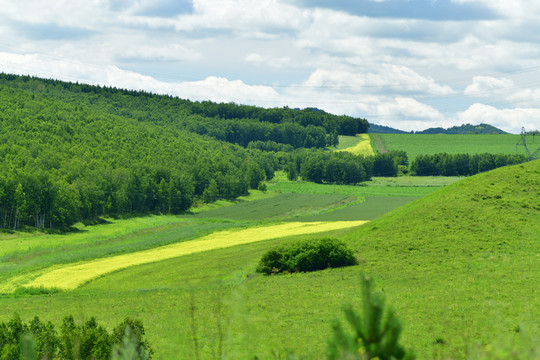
306,256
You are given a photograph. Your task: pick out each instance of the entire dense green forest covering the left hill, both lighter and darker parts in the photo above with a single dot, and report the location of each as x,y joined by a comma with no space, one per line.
72,152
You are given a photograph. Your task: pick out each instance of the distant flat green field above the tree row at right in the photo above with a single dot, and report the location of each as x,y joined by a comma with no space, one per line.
421,144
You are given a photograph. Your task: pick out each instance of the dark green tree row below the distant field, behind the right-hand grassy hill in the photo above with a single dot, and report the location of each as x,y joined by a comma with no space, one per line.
461,164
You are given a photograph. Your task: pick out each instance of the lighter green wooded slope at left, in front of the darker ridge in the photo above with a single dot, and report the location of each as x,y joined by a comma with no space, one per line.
61,163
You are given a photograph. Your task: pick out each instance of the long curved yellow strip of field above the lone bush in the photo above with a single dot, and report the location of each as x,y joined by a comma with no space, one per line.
69,277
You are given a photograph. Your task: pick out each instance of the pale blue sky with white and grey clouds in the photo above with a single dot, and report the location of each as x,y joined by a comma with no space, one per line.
409,64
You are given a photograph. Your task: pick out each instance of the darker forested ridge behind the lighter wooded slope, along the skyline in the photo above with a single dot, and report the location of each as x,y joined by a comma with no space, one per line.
233,123
